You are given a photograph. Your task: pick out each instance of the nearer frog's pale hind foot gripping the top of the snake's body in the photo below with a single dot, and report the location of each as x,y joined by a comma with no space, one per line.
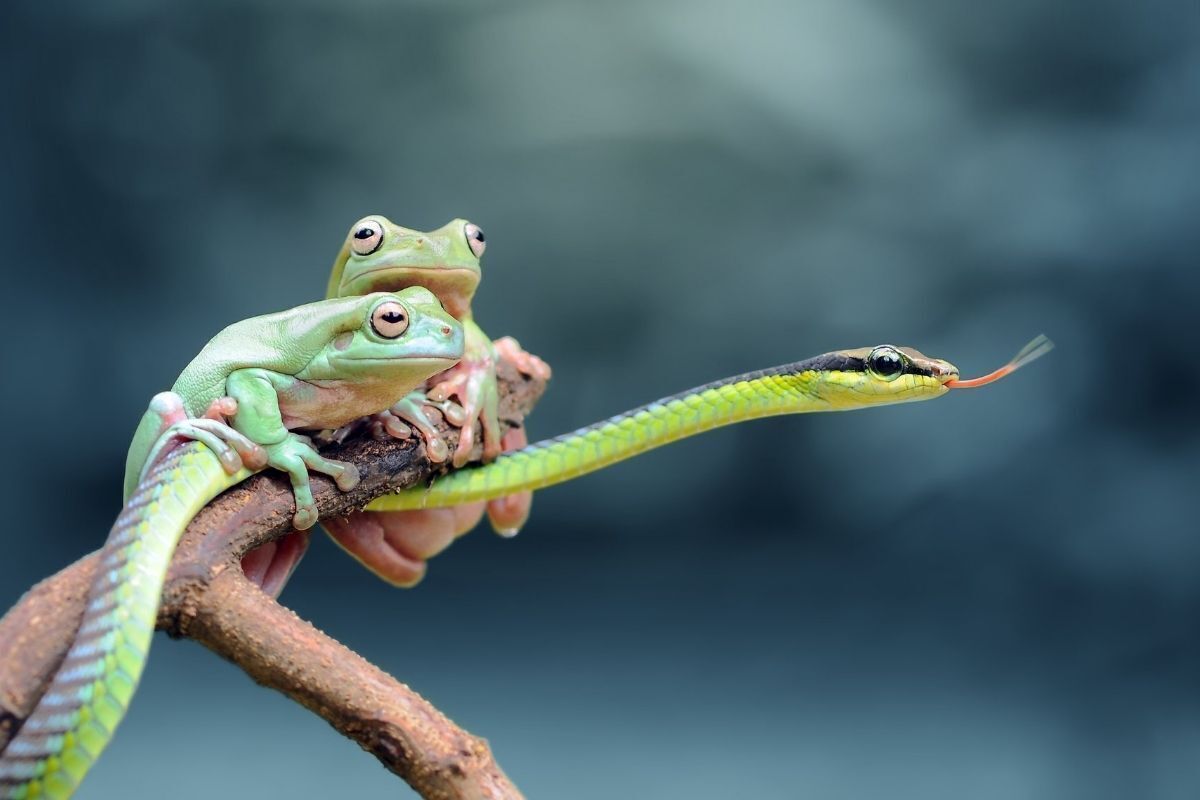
235,450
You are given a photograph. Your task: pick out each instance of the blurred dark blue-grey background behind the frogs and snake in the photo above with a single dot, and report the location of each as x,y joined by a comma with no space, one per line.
995,596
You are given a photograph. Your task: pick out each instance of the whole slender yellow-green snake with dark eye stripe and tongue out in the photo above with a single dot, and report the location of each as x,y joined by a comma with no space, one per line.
77,715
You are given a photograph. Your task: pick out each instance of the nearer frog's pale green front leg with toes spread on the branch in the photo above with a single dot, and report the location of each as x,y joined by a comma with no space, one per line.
257,393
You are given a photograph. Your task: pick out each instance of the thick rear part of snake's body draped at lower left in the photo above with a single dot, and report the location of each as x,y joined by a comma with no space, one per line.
89,695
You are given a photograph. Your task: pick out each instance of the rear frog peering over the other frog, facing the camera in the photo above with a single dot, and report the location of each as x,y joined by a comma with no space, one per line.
379,255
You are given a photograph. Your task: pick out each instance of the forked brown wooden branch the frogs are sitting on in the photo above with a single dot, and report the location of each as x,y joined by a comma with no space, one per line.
208,599
